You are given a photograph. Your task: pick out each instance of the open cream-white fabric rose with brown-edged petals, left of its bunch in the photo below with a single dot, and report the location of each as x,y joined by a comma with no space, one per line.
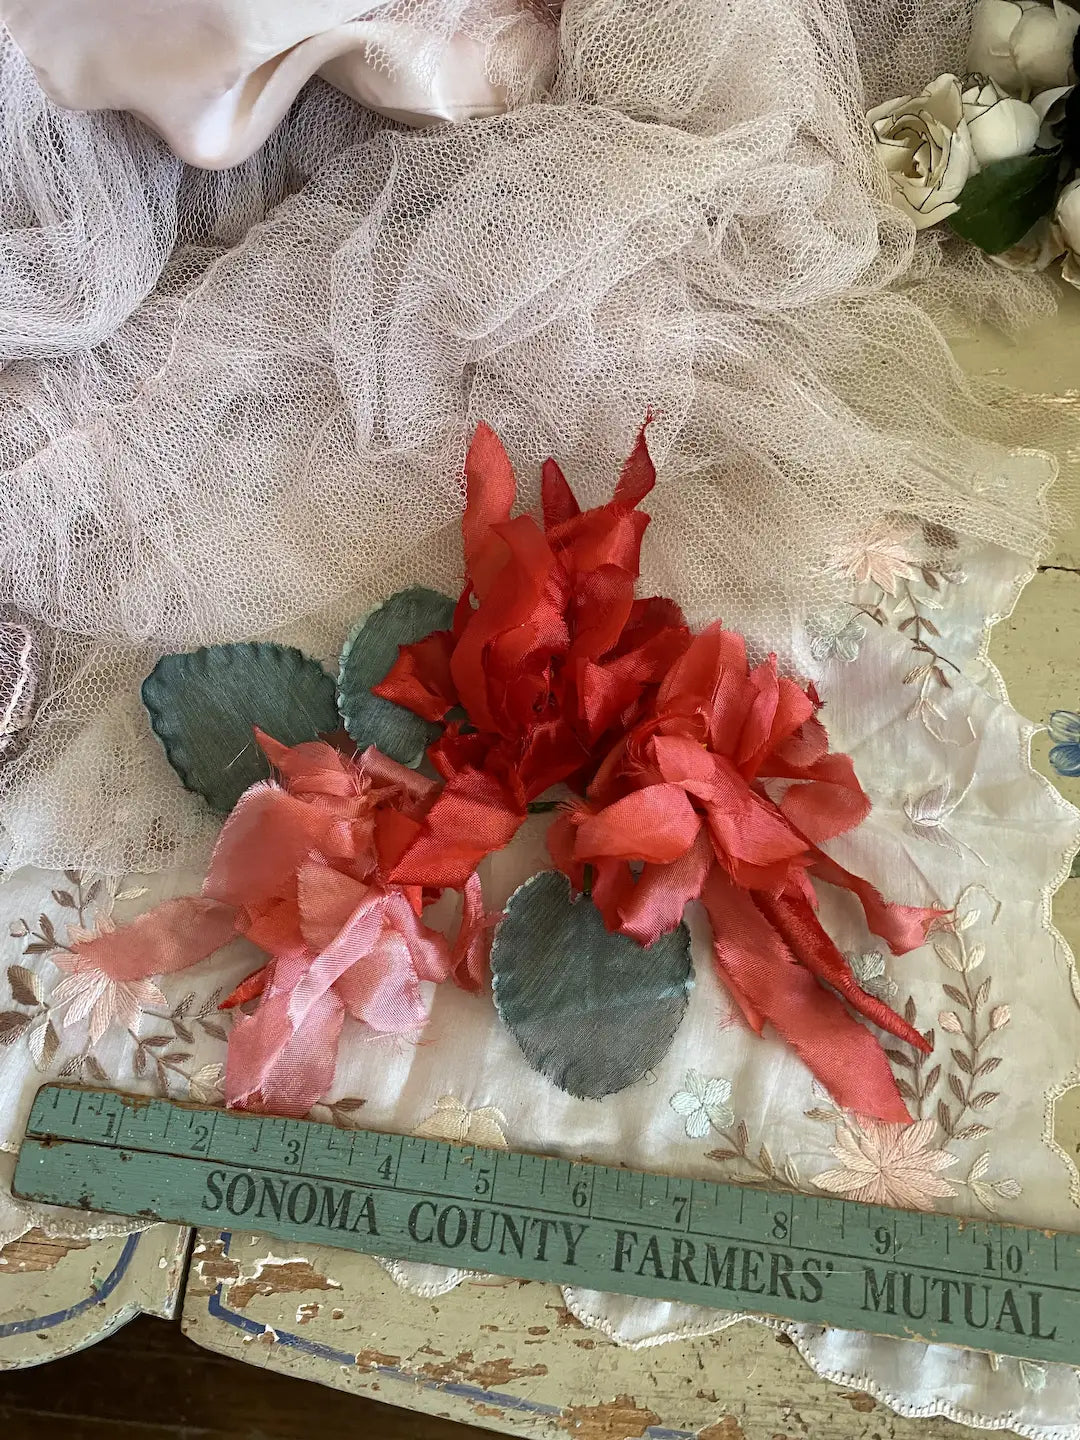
925,146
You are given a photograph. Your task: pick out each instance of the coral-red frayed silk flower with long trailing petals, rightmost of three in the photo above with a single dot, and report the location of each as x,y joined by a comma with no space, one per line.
680,810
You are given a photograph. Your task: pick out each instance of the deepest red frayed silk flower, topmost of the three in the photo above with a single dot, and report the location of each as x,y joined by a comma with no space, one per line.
551,657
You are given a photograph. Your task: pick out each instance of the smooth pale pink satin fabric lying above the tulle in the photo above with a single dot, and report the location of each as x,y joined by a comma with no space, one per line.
215,77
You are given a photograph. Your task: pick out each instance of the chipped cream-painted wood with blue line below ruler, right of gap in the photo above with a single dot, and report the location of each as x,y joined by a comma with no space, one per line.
510,1357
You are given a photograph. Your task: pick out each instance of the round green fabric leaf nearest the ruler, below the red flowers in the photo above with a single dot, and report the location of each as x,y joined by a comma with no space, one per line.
591,1010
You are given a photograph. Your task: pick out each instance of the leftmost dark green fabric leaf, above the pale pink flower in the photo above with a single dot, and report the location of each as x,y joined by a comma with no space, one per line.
204,706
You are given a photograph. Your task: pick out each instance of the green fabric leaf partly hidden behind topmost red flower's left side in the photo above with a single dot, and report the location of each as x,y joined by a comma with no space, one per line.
369,654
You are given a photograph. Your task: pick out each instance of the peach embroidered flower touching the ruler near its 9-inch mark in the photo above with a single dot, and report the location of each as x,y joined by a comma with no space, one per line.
888,1164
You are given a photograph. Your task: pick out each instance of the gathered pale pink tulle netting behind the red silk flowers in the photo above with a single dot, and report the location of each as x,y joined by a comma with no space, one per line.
237,404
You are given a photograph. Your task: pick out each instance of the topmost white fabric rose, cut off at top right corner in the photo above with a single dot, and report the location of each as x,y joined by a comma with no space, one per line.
1025,45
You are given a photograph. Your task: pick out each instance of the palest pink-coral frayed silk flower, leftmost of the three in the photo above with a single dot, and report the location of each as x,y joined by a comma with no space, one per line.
300,870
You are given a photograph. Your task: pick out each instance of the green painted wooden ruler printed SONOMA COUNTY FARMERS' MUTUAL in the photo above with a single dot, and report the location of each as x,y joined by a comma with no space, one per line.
800,1258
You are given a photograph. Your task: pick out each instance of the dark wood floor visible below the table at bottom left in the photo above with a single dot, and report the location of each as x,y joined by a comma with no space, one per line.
150,1383
